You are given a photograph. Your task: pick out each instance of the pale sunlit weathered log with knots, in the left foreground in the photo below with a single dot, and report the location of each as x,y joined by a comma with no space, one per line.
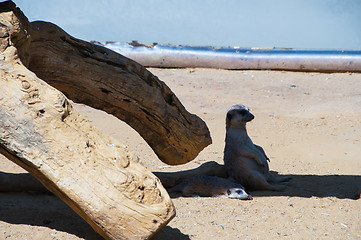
41,132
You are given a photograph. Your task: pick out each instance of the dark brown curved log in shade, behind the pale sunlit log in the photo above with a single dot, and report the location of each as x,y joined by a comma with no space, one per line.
106,80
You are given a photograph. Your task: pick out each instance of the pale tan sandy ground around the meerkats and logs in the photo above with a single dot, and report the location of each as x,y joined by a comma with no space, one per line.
309,125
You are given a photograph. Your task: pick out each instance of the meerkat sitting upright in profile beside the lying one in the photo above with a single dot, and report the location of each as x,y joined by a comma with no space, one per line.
244,161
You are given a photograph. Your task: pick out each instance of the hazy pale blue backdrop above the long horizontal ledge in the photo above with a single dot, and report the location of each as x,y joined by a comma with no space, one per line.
245,23
